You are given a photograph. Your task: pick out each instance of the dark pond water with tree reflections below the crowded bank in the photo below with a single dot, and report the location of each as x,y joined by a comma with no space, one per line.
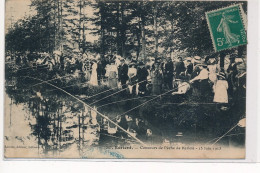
52,122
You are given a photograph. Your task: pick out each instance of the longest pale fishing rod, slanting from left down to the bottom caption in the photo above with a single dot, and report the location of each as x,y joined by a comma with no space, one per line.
102,115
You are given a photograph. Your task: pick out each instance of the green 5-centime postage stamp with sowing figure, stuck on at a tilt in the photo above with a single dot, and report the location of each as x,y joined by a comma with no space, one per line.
226,27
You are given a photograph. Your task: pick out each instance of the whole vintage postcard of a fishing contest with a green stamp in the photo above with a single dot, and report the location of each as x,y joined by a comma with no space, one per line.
125,79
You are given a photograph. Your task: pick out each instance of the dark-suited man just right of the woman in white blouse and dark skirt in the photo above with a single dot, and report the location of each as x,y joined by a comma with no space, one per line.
142,74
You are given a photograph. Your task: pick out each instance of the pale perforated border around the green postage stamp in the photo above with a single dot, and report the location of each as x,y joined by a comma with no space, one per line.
209,26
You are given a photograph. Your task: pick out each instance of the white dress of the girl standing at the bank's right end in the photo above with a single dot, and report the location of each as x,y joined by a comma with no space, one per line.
220,89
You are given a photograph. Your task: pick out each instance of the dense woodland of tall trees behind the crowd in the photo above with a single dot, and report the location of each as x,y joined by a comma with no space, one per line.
137,29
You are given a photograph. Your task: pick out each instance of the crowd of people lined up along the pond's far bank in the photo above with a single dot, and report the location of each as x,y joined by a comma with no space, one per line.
203,75
